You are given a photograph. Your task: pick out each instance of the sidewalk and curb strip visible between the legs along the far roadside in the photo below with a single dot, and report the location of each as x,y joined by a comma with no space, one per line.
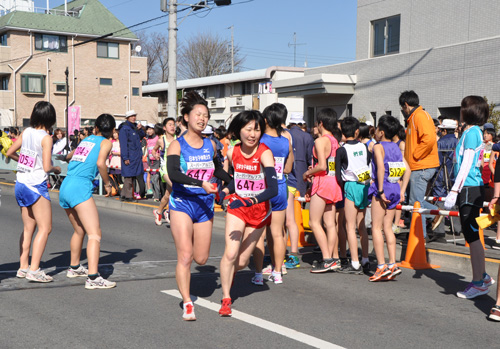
447,255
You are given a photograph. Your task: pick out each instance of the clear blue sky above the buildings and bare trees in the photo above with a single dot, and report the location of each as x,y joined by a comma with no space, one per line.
263,29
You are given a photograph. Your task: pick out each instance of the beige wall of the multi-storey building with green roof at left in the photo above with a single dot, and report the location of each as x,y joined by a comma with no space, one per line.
85,71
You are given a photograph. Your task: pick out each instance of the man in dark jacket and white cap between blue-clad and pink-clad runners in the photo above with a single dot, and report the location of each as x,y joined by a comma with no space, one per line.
302,151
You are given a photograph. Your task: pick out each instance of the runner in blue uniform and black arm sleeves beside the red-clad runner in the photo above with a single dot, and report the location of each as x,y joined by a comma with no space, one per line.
191,163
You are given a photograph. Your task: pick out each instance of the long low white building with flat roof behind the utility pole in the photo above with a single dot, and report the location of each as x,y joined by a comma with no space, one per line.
229,94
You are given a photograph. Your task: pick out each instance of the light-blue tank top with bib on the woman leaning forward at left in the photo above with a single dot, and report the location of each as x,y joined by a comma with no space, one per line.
83,164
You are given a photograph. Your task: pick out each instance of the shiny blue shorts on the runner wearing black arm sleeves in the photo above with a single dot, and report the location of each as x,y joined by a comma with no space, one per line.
200,208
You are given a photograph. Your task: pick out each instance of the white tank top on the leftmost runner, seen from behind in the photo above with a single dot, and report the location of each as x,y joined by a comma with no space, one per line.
30,165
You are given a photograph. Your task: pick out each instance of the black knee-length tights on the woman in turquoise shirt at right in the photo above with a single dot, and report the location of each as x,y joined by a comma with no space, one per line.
470,201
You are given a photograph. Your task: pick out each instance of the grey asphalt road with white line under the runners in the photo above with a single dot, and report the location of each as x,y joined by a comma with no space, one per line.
418,310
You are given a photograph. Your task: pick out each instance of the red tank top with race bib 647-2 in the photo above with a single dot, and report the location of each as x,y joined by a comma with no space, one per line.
249,178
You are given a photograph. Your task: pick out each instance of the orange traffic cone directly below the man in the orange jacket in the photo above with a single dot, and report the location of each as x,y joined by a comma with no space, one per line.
416,257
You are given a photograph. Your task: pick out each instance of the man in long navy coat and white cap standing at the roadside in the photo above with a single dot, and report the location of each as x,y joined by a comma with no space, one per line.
131,156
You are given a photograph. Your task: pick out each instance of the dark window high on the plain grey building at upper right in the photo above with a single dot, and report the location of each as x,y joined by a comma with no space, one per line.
385,35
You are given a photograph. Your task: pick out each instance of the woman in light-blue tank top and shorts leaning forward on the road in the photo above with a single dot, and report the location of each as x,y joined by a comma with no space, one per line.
88,159
